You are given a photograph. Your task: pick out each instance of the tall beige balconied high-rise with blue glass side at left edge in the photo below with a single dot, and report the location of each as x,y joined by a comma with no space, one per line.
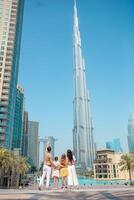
11,17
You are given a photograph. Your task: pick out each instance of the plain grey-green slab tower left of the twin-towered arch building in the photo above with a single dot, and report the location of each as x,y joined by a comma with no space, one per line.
33,145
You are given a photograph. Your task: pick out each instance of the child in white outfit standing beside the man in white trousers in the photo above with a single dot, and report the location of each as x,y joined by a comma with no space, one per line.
55,172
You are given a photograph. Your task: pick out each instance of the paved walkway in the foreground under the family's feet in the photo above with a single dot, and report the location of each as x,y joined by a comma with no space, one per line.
94,193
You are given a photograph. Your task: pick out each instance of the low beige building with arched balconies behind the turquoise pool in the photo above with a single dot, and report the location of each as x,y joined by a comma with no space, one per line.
106,166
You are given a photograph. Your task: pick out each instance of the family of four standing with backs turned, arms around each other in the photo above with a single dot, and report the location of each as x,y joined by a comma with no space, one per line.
64,168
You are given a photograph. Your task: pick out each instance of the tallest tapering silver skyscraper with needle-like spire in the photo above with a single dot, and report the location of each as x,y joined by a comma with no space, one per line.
83,142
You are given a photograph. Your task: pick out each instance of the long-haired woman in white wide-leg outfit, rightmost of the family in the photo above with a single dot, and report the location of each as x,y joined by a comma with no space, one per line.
72,176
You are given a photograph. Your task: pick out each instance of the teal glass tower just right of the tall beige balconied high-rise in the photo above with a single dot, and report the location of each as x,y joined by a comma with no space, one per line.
18,119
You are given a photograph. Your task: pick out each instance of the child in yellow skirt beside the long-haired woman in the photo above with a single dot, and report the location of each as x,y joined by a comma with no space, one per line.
63,170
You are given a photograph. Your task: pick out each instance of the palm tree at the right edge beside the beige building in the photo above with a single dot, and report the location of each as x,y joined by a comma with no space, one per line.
127,163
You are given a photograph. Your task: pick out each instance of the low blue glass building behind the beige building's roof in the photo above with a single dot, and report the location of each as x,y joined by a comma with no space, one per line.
114,145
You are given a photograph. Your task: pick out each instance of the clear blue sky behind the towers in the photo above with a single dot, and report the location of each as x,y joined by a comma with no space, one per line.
46,66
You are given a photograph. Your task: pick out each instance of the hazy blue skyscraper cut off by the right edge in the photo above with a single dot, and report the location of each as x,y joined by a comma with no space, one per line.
130,136
